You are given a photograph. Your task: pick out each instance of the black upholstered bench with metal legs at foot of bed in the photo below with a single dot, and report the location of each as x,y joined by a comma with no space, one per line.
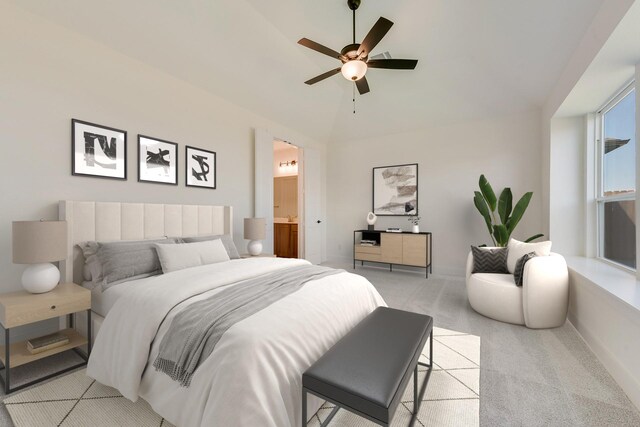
367,371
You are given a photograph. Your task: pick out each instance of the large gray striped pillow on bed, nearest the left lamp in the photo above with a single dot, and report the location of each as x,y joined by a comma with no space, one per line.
115,262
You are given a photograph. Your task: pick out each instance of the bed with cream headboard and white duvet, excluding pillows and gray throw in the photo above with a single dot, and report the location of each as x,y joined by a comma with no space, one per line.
253,376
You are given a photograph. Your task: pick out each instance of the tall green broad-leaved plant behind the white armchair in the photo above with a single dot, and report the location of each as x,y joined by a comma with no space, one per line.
486,202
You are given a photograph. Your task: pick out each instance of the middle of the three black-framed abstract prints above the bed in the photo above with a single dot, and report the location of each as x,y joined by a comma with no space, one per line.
157,160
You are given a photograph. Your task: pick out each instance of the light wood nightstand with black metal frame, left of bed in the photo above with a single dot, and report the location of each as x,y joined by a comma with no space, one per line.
23,308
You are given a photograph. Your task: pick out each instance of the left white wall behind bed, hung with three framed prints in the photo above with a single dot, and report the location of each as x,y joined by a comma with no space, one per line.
50,75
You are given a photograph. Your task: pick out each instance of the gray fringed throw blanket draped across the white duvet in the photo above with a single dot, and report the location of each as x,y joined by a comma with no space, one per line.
195,331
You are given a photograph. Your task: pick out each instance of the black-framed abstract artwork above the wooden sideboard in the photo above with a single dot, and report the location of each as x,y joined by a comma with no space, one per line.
384,201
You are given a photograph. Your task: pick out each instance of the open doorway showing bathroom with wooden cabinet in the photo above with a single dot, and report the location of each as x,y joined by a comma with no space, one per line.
286,199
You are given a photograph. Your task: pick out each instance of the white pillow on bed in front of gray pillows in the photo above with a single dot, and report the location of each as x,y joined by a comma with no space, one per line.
185,255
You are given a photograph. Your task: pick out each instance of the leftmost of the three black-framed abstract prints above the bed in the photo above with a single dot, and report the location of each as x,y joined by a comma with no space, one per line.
98,151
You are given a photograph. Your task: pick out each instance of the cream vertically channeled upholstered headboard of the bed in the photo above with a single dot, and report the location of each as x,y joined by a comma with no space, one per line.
108,221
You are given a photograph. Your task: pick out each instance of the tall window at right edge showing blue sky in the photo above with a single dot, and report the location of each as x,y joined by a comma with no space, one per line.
617,179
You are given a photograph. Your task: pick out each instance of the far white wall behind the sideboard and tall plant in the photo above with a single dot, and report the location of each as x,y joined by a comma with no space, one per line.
451,159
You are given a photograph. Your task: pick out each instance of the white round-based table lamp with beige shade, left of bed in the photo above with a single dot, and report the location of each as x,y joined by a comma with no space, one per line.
39,243
